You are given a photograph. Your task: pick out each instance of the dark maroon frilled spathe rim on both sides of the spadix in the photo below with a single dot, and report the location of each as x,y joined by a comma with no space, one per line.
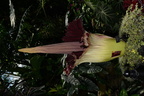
74,32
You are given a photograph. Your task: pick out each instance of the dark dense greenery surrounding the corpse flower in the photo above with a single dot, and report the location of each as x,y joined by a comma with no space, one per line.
40,22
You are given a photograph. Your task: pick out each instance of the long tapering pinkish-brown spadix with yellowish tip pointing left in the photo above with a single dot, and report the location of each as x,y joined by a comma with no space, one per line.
59,48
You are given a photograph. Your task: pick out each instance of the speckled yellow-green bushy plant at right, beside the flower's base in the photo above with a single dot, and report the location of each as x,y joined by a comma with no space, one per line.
132,25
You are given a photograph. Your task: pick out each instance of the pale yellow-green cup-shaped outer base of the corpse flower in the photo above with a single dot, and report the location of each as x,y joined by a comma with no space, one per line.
101,48
